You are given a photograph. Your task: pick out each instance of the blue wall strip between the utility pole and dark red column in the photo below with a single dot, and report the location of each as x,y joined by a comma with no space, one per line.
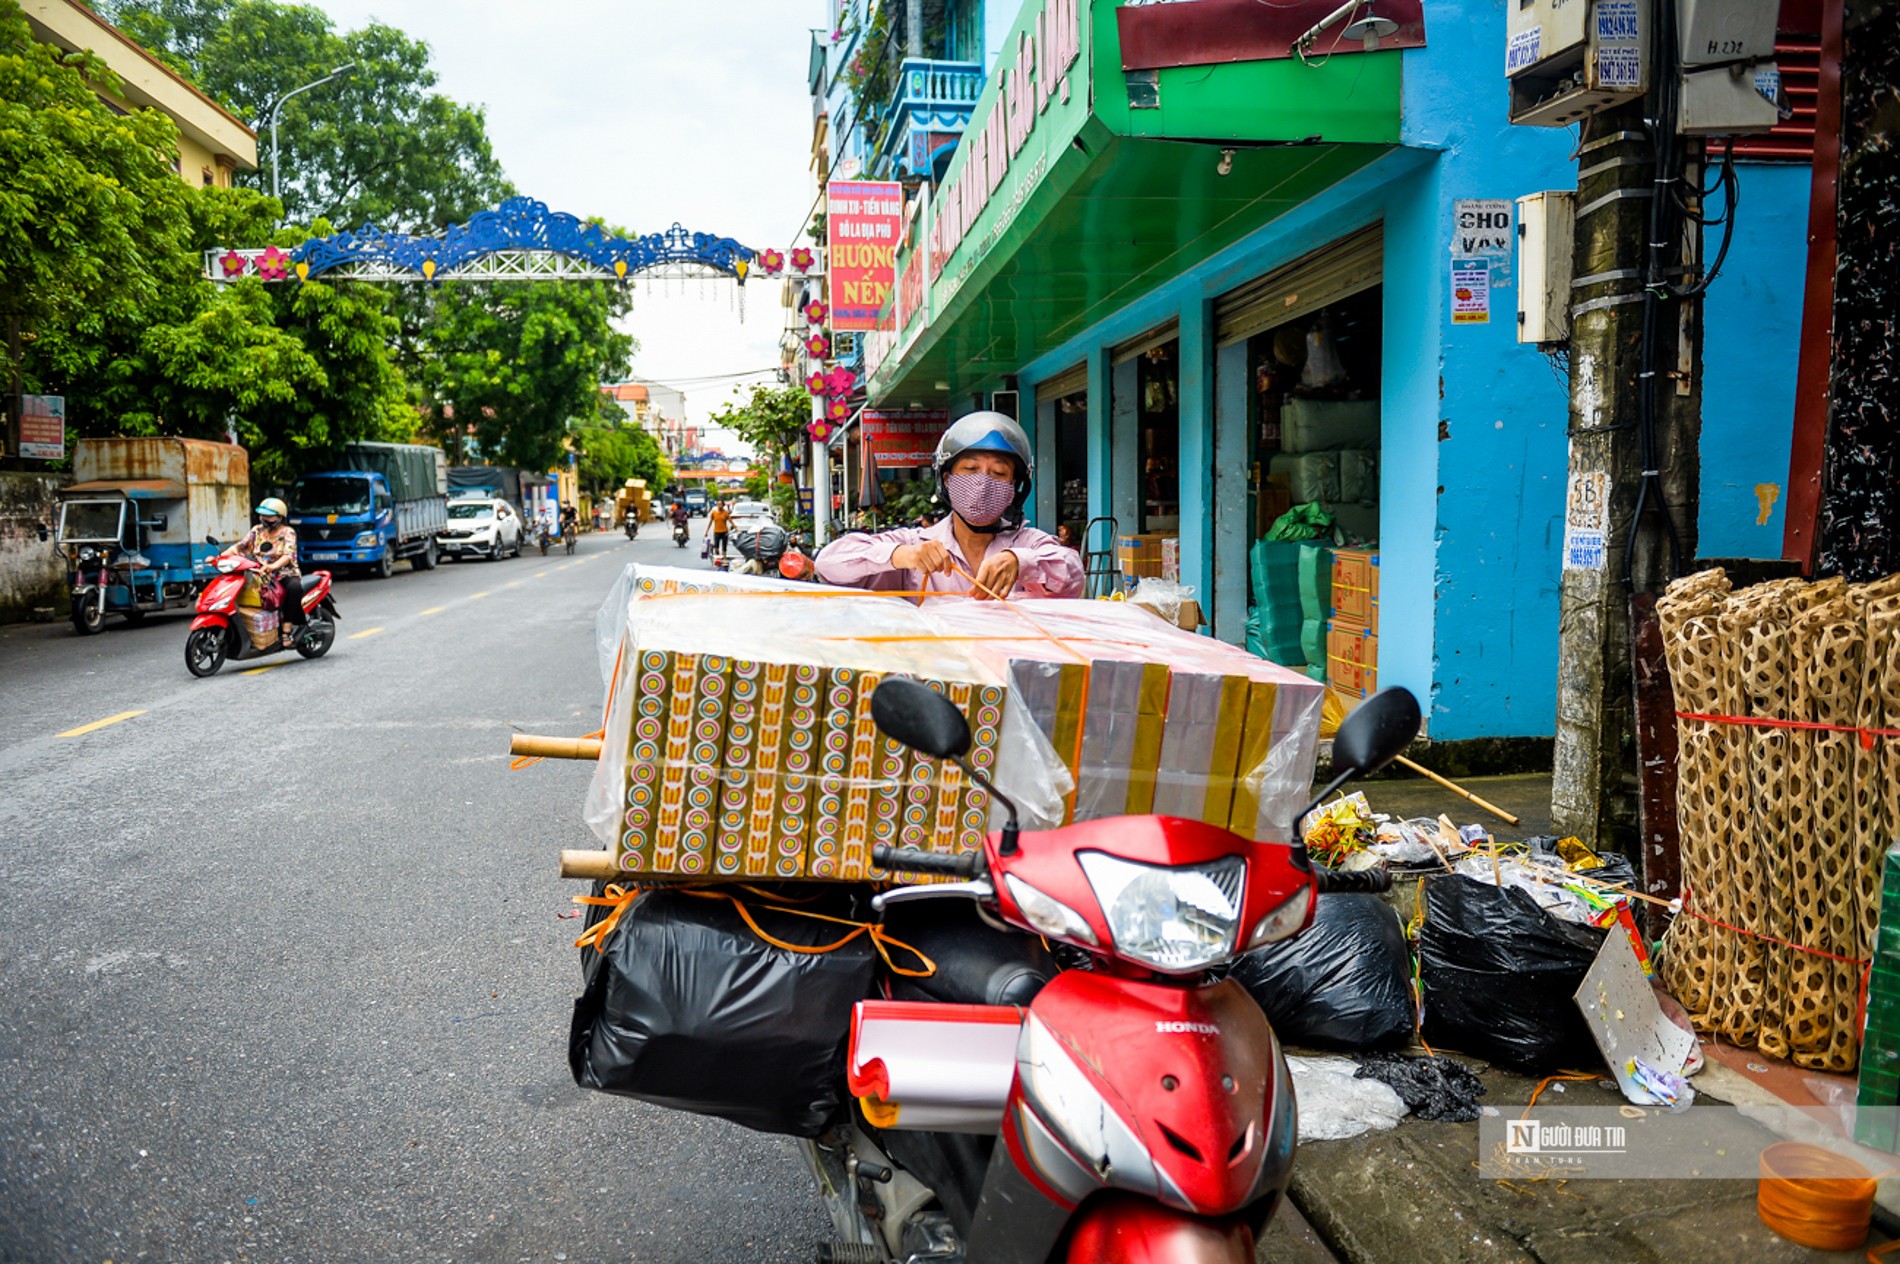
1751,345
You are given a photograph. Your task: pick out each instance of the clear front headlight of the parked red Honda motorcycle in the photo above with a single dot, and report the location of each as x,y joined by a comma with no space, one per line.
1175,921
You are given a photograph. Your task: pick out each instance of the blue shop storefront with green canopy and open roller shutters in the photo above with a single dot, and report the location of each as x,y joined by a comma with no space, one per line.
1223,288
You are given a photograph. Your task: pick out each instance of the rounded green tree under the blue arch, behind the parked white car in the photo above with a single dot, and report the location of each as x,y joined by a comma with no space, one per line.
516,364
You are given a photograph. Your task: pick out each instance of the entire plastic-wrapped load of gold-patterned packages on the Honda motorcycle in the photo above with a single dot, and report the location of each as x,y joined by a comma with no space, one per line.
740,740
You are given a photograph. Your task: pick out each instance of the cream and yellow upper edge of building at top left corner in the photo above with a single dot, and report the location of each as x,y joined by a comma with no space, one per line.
212,142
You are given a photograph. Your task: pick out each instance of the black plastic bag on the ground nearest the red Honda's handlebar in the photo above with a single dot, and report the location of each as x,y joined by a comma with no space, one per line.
1346,984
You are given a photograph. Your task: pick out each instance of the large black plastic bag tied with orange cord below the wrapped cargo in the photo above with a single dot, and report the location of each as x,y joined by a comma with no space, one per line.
689,1008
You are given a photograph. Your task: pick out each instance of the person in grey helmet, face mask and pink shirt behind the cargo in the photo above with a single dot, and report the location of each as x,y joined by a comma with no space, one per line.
983,472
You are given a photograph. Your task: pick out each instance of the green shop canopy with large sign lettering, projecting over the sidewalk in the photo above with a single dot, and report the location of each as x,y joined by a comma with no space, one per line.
1105,201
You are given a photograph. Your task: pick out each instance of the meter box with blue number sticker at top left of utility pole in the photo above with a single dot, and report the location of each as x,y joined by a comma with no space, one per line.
1567,60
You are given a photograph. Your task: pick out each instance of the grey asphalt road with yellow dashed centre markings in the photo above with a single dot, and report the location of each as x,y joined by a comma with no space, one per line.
282,955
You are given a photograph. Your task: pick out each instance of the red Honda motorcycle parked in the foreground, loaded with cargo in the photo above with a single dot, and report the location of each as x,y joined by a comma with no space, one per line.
1135,1109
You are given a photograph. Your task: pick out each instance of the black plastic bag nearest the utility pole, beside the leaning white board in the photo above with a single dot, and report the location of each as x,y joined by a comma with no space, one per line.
1500,976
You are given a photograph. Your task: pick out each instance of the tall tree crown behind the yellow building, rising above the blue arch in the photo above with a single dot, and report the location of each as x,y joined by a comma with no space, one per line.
375,147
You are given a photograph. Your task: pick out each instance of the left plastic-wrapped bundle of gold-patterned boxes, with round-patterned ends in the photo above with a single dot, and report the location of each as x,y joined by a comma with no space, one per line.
740,740
